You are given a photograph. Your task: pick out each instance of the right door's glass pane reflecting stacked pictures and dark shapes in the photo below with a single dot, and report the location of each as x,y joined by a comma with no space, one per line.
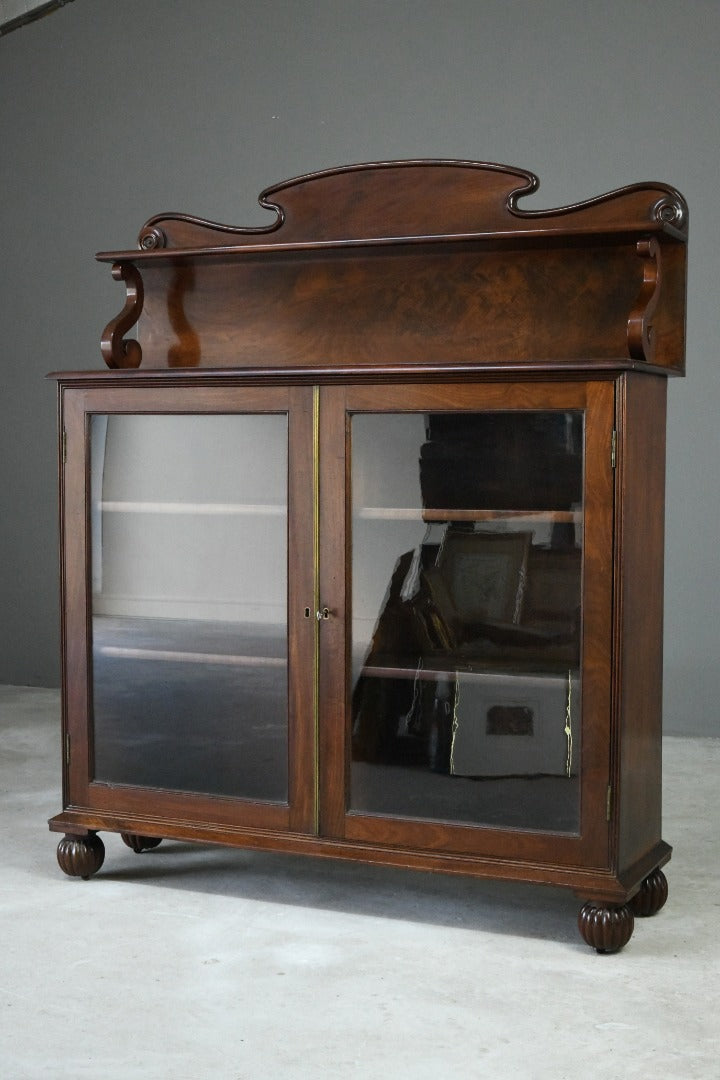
467,571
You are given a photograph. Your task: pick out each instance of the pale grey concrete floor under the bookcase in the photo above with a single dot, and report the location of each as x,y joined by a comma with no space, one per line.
188,963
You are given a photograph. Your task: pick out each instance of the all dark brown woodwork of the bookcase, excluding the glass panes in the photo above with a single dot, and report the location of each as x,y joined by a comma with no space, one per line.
406,287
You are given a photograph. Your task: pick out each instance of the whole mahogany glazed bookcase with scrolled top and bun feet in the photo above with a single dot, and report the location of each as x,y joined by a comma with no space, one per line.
362,534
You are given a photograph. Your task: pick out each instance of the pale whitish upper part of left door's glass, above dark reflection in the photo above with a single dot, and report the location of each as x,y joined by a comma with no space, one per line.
189,517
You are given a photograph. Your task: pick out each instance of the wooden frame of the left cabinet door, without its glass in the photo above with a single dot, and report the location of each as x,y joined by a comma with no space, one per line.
81,792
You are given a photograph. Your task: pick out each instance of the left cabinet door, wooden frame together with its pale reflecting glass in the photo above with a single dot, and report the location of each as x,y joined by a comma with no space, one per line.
182,521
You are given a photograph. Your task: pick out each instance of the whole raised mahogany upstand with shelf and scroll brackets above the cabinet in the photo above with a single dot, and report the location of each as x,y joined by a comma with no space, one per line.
410,263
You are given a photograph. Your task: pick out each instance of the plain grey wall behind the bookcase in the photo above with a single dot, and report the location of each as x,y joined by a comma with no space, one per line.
113,112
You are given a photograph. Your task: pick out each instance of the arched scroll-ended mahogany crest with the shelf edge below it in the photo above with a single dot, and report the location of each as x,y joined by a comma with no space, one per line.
386,202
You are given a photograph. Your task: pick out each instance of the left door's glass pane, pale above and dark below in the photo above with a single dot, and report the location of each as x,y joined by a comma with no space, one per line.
189,571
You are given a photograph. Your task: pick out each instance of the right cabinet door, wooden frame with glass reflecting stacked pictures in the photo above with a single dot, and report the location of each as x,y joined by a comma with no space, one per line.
467,570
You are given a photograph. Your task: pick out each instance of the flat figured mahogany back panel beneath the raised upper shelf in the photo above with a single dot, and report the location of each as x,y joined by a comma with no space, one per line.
415,306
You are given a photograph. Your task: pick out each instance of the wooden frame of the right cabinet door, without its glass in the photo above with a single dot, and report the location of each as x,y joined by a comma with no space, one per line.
590,848
